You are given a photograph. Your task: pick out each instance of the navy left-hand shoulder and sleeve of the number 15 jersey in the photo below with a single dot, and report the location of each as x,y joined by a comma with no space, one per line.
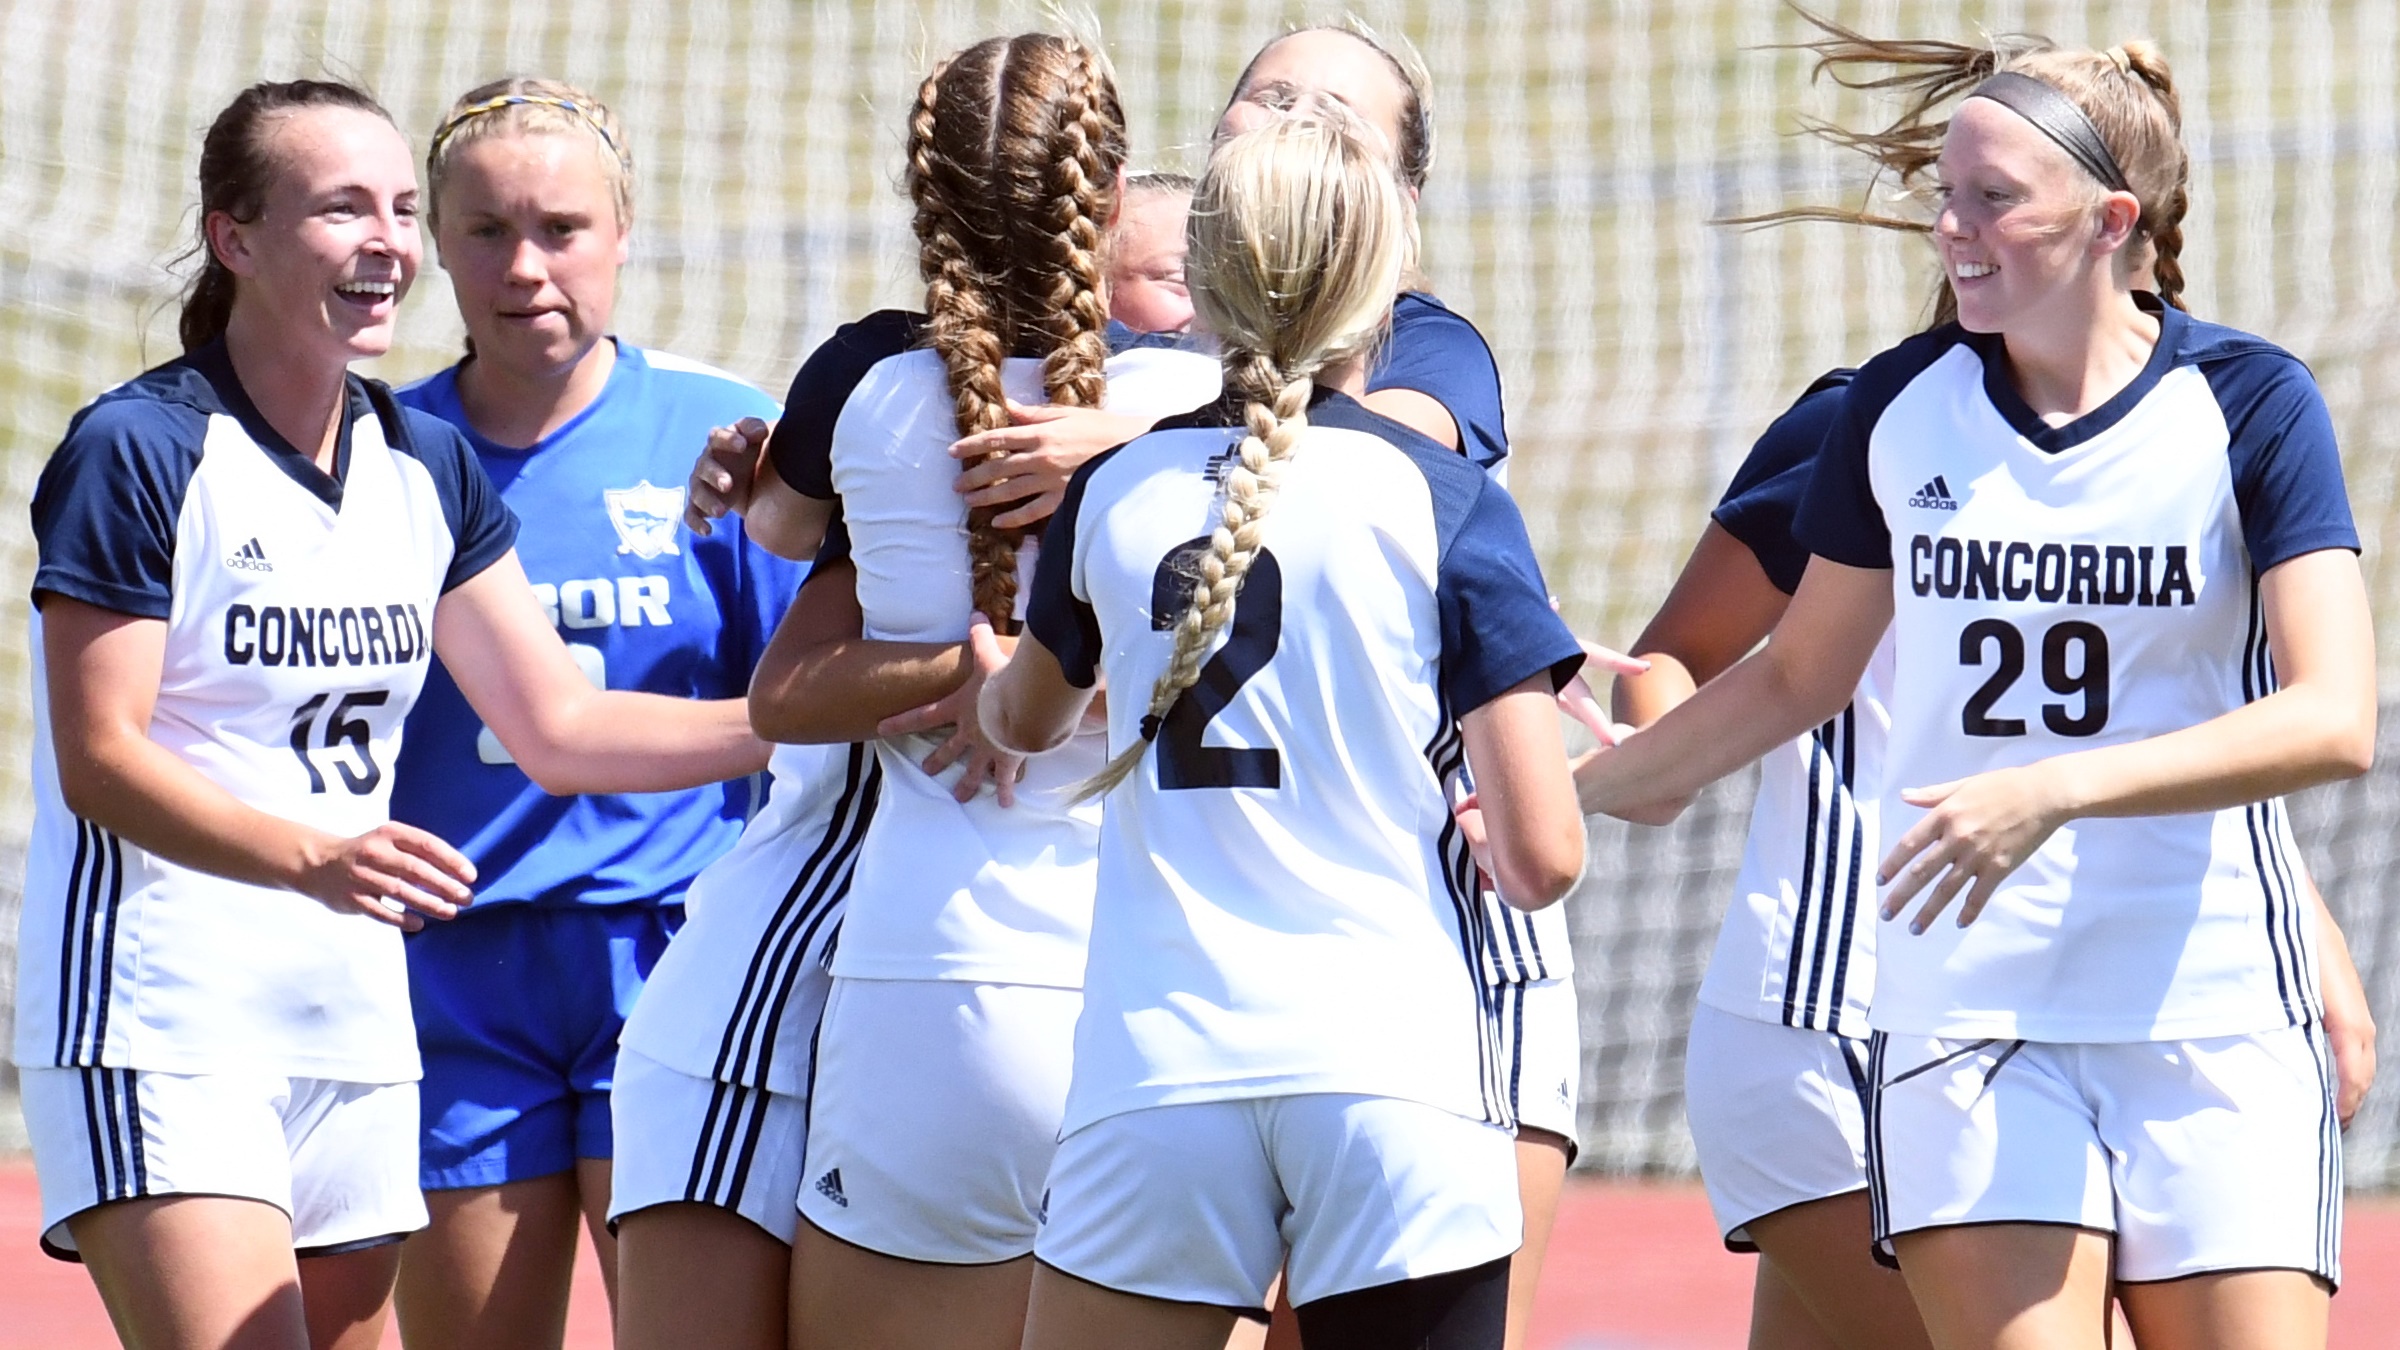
112,494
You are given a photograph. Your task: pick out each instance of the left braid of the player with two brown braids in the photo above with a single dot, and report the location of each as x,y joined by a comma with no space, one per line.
966,321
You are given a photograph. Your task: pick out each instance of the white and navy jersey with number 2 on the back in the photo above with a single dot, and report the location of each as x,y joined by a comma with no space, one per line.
1285,904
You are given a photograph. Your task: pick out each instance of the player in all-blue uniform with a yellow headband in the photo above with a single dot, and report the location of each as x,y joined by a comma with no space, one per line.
587,436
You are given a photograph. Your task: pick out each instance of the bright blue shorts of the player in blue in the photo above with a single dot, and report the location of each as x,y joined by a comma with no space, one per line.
517,1017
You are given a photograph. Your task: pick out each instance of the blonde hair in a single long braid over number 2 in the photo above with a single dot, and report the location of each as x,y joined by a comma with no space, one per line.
1300,237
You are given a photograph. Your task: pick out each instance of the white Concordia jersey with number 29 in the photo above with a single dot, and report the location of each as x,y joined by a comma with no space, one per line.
2072,587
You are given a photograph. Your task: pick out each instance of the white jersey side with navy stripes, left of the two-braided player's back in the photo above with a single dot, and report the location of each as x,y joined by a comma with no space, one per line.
760,921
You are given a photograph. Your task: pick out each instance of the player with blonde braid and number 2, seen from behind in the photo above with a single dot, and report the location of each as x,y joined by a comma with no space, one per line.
1290,1041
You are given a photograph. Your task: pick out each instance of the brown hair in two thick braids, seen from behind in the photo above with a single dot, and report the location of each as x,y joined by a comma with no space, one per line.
1014,157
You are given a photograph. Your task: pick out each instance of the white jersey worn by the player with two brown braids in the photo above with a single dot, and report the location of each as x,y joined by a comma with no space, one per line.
944,890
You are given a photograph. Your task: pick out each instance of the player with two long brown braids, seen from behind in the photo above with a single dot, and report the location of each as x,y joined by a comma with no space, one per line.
942,1061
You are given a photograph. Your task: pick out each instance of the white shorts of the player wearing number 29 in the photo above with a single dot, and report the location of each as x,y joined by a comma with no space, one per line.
2202,1157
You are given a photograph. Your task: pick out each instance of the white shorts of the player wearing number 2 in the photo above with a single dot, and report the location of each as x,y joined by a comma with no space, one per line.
1206,1202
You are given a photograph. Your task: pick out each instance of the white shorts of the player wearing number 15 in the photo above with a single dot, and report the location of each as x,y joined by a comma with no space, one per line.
340,1159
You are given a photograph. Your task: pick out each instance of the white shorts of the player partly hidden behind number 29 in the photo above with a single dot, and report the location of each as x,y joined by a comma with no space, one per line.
1780,1116
